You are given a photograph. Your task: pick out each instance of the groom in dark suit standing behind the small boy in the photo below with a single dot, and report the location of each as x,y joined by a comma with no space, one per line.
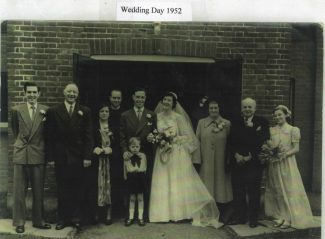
139,122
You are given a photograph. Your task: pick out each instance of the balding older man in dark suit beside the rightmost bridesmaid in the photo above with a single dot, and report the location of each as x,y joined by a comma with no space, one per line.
248,133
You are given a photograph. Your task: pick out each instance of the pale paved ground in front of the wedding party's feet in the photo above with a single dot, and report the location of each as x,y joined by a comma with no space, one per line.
160,231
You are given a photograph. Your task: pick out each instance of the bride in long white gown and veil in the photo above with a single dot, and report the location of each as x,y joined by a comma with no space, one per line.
177,191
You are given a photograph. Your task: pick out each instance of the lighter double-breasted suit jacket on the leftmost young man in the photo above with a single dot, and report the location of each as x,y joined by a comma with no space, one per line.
29,146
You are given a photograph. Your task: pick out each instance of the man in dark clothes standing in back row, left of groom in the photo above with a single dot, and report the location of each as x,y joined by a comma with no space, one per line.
116,162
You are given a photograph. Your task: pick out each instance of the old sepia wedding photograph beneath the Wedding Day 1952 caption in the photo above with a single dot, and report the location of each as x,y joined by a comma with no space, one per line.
161,129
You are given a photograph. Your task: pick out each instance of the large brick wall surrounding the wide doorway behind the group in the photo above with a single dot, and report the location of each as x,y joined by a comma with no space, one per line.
42,51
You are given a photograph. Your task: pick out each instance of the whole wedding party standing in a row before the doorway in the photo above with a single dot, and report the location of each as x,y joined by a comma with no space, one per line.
157,165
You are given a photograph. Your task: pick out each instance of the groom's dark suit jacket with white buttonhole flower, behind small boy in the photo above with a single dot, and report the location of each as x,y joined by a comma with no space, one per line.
130,126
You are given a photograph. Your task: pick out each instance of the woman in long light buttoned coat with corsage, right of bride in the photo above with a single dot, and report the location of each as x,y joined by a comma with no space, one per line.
212,132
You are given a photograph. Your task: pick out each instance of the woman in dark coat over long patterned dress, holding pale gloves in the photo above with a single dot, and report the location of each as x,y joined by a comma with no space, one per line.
102,153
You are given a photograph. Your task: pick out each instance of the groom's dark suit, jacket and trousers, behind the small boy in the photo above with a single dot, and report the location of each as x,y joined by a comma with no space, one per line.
130,126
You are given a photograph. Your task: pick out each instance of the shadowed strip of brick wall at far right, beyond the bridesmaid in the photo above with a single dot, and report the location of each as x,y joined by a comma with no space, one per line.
303,70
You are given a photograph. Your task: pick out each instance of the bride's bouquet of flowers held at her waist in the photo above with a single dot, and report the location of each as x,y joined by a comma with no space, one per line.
164,138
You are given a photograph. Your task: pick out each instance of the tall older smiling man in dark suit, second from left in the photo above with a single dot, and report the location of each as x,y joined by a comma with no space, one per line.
70,137
